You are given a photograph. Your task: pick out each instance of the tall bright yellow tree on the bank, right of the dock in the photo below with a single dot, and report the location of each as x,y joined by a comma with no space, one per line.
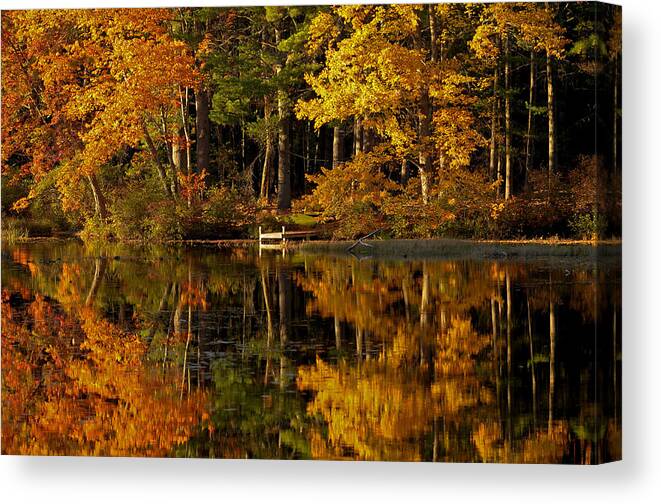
380,73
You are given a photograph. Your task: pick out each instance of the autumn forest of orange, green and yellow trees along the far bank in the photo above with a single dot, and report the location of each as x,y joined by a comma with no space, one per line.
485,121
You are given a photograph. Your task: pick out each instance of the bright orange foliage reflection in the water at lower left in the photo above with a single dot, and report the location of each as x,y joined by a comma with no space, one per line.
81,387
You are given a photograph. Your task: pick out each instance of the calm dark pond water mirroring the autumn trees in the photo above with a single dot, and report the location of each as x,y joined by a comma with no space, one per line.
203,352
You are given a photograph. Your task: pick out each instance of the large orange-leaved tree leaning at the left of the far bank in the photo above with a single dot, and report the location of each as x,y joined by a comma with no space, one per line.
105,94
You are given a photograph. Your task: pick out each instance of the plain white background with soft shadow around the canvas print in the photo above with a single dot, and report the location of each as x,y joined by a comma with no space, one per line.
636,479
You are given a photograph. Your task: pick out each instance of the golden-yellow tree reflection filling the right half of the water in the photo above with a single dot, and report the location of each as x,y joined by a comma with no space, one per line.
468,319
